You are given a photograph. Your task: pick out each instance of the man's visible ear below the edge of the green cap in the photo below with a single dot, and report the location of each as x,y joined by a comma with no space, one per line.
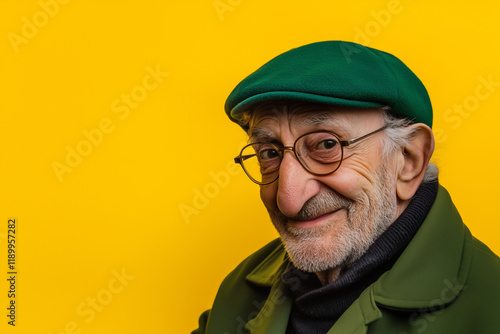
415,157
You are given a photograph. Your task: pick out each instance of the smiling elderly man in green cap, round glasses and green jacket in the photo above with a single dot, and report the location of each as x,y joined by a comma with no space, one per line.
339,142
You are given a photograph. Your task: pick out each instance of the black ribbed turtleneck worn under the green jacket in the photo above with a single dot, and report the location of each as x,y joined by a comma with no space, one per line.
316,308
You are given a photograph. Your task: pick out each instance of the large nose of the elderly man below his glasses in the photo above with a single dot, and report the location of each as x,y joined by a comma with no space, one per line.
295,185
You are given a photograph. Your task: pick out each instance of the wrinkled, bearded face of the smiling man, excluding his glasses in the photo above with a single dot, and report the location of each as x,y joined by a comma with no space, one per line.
329,221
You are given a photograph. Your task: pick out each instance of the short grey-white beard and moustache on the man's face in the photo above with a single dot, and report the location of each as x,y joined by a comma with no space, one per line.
346,236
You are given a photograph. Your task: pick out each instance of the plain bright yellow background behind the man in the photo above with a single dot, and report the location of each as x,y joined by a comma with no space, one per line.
120,209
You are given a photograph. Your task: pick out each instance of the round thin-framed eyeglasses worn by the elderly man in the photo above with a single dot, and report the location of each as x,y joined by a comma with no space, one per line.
319,152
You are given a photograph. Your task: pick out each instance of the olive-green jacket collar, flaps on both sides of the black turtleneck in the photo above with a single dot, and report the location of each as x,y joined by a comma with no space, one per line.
430,273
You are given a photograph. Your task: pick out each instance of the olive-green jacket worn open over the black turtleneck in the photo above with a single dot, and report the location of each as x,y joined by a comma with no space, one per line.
446,281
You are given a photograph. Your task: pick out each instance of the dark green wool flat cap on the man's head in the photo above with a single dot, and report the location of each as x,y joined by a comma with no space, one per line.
335,73
